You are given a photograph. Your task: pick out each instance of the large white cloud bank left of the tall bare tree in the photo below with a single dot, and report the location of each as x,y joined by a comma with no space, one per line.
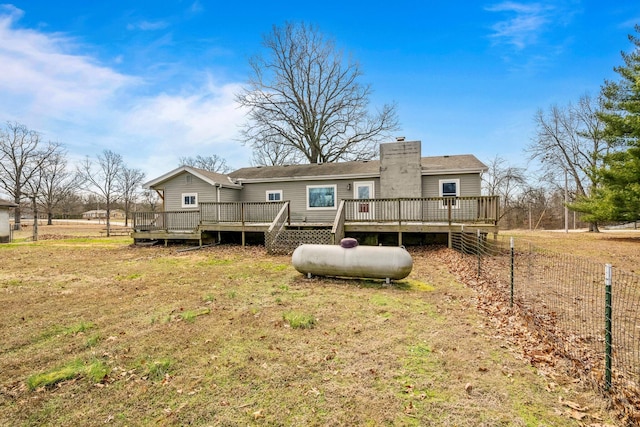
50,84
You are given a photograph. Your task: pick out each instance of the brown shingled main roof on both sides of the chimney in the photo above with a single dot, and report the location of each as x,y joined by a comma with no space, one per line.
464,163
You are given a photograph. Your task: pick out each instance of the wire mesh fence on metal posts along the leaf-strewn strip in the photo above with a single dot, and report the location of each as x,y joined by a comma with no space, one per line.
565,298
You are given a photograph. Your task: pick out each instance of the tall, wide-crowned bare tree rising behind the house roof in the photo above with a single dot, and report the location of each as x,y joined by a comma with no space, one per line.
303,95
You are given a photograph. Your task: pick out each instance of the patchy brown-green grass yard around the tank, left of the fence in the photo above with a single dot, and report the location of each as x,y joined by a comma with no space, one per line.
94,331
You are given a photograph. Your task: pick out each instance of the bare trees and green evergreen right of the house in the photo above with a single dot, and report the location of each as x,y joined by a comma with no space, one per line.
589,152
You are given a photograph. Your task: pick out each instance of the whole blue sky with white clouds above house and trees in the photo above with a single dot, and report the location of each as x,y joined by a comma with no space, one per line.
155,80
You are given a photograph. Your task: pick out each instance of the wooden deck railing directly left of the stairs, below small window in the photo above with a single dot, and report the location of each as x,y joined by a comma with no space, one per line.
242,212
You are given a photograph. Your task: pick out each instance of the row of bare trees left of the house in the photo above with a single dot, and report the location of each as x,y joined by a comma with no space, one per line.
36,174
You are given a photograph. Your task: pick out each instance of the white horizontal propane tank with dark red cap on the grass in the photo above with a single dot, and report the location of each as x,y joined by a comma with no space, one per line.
375,262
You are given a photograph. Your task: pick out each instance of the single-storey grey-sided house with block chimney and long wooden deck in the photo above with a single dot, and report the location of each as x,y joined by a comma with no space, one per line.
388,200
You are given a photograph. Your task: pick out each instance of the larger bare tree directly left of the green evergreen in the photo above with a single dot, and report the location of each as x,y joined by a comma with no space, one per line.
571,140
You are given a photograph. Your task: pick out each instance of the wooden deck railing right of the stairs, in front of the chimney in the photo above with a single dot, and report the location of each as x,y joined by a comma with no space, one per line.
481,209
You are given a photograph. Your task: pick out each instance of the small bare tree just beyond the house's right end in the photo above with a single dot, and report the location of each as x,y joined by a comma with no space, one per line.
504,181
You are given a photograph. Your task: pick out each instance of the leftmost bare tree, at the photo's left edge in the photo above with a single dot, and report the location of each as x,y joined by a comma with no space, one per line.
22,155
